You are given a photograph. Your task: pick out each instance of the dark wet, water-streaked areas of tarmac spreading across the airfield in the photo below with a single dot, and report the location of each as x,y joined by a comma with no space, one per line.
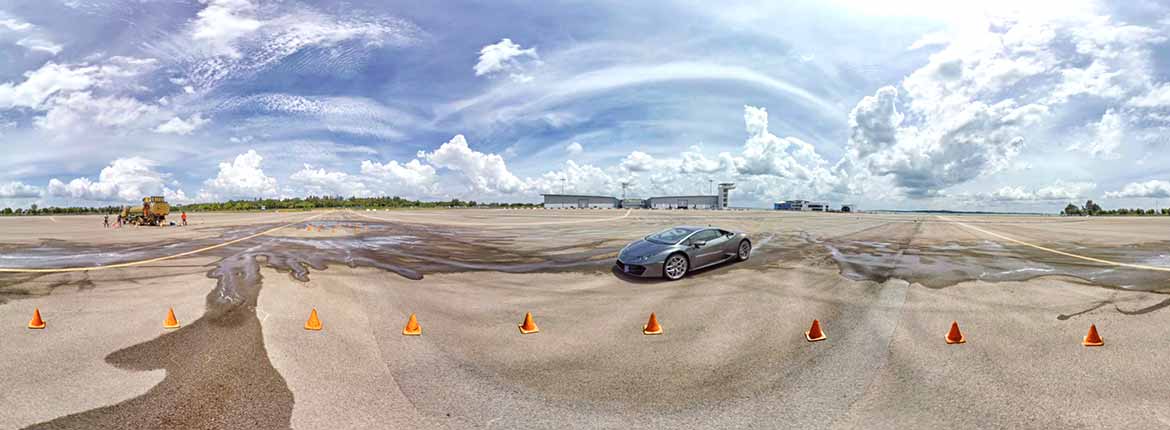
224,351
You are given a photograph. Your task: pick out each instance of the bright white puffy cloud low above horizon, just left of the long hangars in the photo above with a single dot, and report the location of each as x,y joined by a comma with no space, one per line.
485,174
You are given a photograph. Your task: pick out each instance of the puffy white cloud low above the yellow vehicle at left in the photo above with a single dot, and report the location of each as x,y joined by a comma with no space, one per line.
126,179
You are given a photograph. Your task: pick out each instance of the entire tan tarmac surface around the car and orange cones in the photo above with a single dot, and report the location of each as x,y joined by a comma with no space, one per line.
733,356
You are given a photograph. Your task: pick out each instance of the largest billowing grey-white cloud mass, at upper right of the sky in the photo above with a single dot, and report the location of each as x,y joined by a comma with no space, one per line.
967,113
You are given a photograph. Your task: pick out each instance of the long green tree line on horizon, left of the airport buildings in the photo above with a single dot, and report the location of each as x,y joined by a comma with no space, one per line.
299,204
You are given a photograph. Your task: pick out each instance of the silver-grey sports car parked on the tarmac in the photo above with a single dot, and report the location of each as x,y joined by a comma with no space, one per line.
675,252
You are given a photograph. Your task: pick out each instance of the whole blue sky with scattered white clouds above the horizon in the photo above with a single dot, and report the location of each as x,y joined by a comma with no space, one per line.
886,105
